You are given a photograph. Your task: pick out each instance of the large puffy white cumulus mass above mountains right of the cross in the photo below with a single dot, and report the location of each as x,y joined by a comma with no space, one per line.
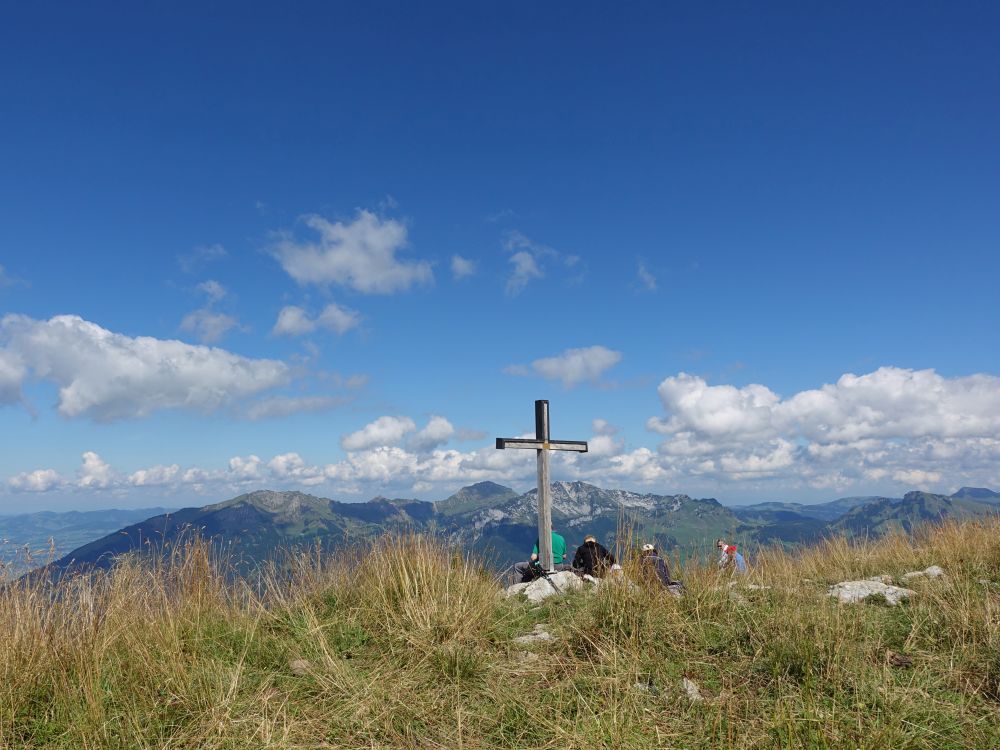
914,427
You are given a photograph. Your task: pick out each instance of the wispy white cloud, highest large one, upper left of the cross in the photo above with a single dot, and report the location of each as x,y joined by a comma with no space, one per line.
360,254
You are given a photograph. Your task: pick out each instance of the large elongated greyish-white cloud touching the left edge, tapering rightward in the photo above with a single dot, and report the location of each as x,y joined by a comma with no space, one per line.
107,376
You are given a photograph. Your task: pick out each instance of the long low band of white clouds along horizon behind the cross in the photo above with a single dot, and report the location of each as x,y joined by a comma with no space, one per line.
852,436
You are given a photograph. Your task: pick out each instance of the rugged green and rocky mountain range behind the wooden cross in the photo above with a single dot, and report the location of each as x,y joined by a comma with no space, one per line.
495,522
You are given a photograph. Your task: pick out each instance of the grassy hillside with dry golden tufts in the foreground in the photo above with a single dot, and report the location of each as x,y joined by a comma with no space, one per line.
408,645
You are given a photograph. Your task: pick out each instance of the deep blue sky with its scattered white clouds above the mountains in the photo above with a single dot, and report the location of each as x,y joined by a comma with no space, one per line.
751,251
